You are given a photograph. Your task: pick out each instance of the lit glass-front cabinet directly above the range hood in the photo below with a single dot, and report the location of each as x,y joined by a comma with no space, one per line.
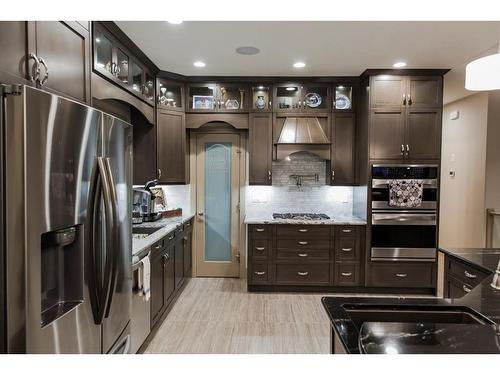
302,98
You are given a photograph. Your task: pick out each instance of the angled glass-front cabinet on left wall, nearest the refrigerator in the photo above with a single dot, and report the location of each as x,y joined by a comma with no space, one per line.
113,61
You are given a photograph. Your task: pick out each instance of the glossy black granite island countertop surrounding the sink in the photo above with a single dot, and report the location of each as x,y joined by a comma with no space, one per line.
413,337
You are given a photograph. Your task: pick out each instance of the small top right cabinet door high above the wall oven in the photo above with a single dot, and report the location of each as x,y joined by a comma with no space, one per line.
424,92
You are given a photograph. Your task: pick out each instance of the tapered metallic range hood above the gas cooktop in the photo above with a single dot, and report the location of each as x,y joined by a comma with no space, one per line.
303,134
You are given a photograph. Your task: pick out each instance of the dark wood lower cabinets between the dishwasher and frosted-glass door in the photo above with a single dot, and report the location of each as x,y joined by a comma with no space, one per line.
170,265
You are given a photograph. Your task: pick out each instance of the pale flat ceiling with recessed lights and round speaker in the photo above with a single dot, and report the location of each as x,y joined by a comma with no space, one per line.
328,48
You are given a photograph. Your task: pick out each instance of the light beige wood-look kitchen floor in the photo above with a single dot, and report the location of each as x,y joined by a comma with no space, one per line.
215,315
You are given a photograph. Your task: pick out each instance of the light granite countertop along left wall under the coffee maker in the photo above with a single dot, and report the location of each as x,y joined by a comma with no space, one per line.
167,225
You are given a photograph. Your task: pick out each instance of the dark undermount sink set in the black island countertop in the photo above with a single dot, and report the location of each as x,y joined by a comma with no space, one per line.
360,314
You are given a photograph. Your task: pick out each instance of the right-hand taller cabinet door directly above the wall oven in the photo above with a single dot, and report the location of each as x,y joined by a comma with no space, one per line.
423,134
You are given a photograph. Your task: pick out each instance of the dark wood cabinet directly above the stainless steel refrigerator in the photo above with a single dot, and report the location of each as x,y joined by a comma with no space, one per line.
51,55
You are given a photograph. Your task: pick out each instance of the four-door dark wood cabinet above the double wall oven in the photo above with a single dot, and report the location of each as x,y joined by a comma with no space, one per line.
405,117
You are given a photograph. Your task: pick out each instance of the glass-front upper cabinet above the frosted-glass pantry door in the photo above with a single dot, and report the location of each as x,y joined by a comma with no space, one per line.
210,97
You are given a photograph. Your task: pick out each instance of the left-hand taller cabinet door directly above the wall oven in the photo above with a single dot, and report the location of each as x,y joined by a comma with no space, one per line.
387,134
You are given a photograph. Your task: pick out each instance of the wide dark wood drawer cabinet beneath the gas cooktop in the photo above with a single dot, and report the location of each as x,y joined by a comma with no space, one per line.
305,255
